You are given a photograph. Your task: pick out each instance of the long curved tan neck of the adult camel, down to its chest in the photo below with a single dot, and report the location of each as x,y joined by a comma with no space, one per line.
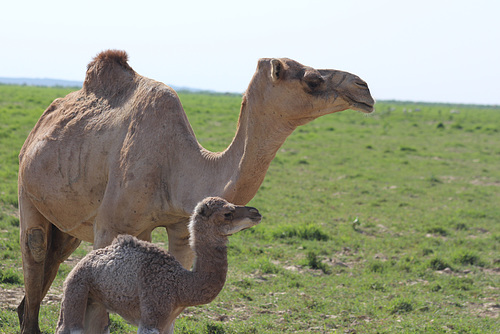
234,174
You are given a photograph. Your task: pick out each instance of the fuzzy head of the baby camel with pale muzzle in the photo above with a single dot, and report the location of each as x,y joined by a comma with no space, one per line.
216,217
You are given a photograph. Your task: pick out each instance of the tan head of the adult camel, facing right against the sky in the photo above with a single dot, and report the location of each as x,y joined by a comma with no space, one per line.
299,94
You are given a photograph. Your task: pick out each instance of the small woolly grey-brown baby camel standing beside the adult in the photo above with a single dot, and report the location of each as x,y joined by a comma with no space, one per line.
145,284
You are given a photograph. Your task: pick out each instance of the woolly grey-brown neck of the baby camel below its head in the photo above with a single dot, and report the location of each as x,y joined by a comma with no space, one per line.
208,275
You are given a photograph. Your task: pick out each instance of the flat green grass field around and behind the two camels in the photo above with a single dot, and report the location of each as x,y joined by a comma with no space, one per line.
388,223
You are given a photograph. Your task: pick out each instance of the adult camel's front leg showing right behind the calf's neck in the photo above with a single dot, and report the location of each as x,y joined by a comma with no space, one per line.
178,243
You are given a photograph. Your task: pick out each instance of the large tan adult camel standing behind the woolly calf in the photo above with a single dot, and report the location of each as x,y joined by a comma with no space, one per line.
119,156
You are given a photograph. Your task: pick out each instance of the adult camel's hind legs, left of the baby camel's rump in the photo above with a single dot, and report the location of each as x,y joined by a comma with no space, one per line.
43,249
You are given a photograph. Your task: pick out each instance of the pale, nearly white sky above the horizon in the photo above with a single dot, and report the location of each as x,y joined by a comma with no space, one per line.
427,50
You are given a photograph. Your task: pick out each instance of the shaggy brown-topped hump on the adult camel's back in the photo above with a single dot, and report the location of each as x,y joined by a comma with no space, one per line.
107,72
